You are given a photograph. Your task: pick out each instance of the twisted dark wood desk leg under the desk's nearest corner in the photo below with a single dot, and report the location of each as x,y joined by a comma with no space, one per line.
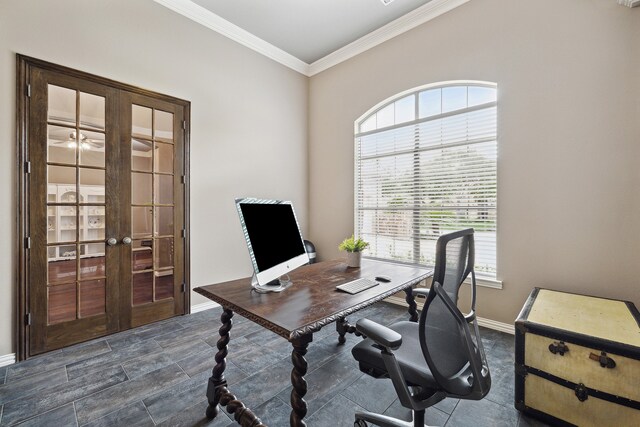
298,403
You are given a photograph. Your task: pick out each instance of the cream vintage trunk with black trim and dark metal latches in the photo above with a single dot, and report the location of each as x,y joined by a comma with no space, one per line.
578,360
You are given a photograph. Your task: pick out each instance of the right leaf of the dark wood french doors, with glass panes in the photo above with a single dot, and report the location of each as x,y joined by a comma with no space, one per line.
152,213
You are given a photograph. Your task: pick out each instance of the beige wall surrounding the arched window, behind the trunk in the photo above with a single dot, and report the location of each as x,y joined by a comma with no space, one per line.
569,137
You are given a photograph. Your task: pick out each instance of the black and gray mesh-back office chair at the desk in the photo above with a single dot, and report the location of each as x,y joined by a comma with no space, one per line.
441,355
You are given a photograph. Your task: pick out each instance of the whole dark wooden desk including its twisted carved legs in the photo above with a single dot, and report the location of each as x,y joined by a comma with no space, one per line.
295,314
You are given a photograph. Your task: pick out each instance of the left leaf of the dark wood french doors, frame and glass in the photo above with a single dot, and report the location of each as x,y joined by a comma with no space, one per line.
71,277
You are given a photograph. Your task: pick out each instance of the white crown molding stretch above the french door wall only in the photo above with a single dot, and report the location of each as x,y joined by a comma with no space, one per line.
214,22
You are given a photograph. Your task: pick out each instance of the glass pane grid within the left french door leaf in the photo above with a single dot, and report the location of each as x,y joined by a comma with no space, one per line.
75,205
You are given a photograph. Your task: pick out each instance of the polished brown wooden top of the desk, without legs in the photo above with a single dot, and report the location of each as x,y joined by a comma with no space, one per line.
313,300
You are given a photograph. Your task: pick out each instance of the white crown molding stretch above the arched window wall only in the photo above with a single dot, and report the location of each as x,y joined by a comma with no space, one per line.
419,16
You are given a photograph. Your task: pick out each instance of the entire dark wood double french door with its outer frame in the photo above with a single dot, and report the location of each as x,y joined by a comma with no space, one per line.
103,207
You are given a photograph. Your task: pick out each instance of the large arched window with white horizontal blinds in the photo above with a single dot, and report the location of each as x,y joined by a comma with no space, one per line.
426,165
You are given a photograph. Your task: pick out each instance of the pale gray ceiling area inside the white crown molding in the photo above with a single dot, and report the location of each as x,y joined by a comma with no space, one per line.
309,29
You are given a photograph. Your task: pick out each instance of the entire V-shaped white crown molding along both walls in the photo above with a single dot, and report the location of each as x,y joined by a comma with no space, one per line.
419,16
